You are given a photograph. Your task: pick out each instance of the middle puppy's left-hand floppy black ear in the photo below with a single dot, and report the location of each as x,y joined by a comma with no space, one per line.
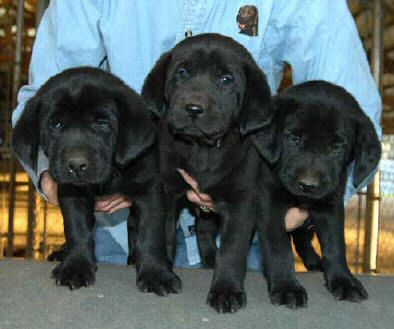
153,89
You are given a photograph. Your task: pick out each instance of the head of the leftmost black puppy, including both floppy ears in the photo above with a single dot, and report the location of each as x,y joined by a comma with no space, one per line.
86,121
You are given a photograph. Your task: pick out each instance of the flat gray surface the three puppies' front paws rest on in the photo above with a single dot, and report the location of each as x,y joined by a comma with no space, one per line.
29,299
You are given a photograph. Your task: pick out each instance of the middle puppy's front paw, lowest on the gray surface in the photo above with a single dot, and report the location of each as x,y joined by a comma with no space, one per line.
226,299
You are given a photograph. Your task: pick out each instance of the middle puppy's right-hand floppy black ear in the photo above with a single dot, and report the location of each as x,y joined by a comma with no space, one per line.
256,108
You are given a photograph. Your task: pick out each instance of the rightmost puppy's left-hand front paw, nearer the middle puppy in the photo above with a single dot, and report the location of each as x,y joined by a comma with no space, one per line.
289,293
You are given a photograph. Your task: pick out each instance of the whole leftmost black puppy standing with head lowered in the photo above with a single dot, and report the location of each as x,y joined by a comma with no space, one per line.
99,136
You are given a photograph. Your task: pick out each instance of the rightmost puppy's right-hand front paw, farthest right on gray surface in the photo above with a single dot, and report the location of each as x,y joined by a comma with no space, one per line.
347,288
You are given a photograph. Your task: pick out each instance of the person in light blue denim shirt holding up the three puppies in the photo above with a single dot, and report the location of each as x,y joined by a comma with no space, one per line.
318,38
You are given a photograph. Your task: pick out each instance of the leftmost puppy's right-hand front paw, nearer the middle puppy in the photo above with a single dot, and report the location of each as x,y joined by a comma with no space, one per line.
159,282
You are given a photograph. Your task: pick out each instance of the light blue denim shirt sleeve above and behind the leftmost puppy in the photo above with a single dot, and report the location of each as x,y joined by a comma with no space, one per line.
68,36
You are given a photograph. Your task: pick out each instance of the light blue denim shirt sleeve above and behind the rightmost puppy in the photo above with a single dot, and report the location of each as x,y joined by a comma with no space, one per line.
323,44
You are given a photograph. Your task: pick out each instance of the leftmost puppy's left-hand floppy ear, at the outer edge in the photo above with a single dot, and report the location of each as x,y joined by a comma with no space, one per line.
26,134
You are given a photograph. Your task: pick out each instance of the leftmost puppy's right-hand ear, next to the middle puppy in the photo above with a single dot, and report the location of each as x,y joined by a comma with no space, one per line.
137,127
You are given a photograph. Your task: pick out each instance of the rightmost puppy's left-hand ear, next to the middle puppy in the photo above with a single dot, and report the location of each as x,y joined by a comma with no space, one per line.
268,140
